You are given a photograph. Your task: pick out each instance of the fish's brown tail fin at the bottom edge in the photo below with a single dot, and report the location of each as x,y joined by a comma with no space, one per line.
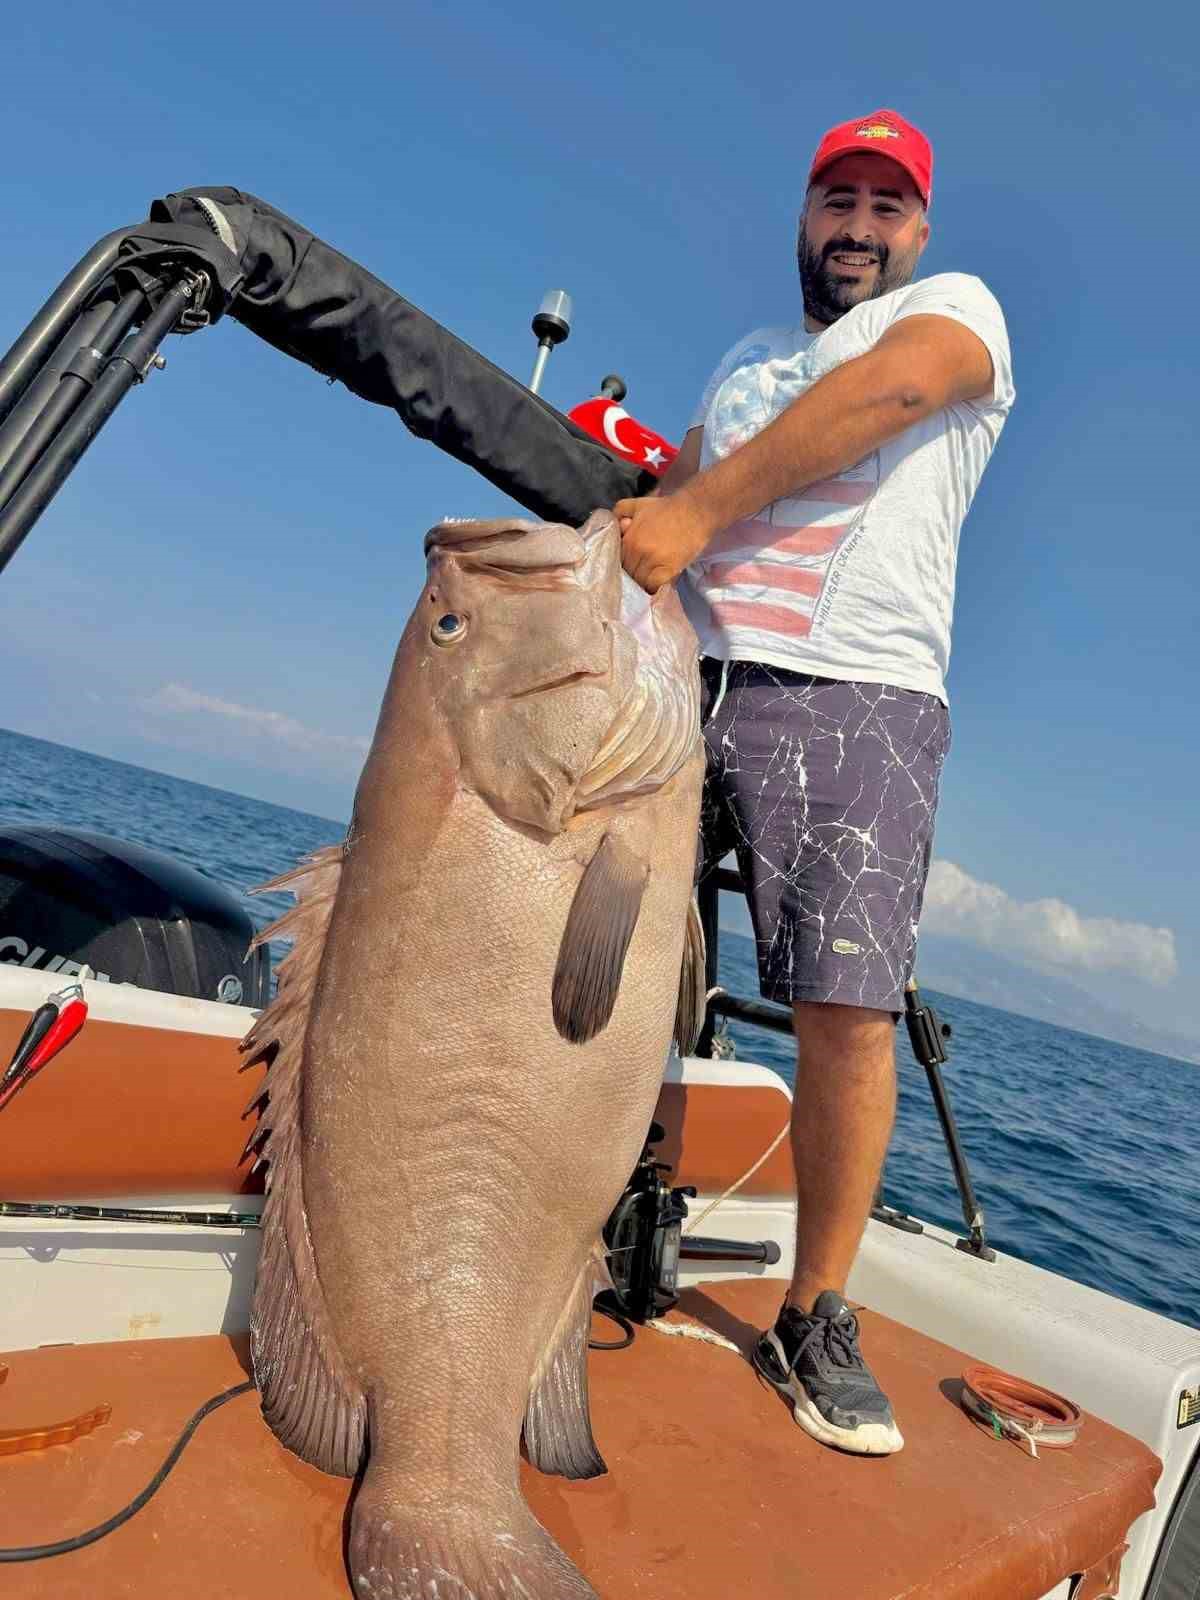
455,1553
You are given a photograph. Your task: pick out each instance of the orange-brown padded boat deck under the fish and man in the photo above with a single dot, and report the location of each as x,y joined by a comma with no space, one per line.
713,1492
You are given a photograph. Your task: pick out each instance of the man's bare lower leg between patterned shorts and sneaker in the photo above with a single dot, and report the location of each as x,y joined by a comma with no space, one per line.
842,1116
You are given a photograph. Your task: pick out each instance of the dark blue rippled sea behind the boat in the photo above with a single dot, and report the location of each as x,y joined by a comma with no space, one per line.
1086,1154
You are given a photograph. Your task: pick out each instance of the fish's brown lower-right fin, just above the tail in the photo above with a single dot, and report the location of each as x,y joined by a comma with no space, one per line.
558,1420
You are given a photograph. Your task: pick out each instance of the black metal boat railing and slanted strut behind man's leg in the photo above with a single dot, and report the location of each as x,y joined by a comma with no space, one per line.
929,1038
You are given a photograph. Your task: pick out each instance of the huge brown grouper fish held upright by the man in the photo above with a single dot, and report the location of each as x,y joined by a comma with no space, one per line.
466,1049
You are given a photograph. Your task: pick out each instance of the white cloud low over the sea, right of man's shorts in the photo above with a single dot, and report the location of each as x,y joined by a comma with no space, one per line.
1044,934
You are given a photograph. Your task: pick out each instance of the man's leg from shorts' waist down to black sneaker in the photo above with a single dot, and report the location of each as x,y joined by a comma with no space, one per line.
834,790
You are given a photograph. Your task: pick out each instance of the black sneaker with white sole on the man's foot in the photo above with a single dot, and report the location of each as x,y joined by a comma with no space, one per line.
818,1366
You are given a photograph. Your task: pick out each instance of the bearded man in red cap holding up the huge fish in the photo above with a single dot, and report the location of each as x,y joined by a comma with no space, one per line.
812,519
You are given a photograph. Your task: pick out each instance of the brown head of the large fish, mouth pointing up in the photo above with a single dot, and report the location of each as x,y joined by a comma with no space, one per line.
529,641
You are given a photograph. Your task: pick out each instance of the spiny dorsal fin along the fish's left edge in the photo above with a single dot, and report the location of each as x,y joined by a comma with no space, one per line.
310,1398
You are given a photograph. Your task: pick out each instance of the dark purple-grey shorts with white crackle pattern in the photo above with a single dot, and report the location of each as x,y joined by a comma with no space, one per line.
826,793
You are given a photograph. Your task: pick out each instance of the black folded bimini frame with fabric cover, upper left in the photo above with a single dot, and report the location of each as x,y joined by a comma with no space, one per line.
209,252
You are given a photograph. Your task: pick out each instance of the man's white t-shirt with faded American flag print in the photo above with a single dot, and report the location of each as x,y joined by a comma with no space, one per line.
854,578
